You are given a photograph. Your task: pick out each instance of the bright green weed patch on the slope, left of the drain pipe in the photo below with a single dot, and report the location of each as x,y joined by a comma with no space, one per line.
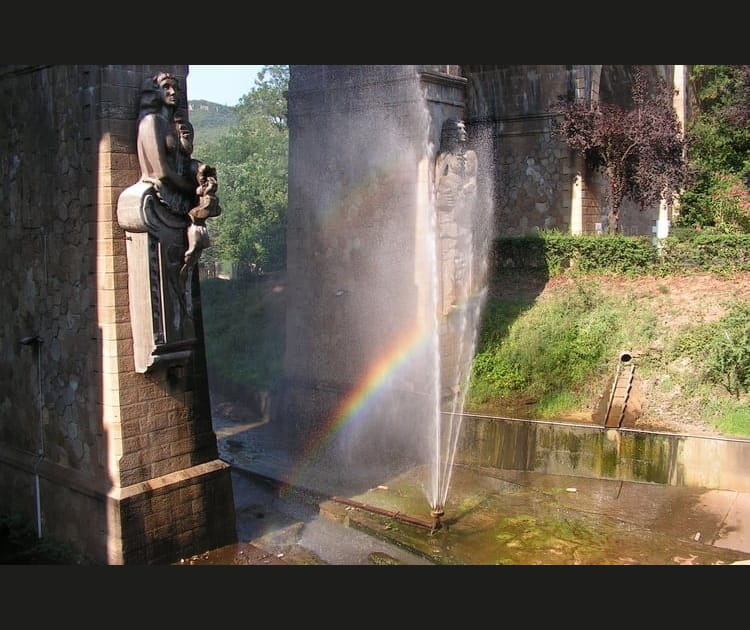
554,350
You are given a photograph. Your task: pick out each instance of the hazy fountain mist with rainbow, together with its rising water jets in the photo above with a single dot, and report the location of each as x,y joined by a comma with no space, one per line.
366,276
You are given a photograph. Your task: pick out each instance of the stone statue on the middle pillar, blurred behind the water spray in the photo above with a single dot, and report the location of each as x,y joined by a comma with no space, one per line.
455,199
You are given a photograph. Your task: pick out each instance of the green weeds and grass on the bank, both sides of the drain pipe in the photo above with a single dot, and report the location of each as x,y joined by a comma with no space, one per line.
555,357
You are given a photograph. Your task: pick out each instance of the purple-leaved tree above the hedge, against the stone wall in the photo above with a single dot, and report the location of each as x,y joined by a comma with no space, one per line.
640,150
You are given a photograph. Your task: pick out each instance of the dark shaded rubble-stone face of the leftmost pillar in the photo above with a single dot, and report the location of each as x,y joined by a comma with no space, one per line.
51,397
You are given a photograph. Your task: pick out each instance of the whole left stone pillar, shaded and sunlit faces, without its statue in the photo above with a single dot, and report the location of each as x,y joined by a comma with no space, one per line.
76,421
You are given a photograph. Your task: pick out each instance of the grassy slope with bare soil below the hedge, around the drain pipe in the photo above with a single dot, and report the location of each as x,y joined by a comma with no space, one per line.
566,334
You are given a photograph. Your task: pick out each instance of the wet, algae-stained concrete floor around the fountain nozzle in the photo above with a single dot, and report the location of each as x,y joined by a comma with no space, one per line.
292,516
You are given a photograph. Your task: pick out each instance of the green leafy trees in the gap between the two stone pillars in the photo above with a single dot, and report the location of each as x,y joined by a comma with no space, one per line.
251,160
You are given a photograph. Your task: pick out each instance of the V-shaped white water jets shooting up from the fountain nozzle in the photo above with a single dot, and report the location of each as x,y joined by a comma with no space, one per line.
458,286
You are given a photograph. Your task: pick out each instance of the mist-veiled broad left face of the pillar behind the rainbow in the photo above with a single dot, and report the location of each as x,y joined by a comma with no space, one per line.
360,294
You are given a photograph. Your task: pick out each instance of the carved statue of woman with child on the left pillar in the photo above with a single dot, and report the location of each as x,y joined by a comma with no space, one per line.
164,216
